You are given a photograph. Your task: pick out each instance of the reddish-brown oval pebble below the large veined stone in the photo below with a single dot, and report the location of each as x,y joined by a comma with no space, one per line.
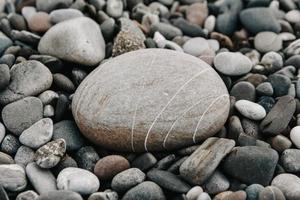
106,168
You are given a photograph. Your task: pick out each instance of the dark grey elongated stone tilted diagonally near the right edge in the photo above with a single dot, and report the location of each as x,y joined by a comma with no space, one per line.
279,116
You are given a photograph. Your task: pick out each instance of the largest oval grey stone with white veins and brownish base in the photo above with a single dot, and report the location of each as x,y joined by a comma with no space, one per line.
164,105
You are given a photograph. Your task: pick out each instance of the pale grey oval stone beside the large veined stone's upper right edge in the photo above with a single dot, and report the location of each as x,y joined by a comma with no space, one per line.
232,64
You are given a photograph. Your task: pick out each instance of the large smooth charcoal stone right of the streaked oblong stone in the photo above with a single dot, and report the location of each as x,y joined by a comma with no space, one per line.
251,164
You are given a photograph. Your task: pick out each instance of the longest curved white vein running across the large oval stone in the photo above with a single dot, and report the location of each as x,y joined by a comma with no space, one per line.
168,103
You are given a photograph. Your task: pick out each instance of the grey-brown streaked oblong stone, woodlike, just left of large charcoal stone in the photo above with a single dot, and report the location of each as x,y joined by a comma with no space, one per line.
194,169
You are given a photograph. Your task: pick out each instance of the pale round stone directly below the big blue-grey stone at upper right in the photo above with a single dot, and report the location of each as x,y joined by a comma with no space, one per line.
267,41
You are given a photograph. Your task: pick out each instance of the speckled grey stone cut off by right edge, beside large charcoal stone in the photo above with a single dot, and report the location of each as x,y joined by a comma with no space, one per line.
290,160
